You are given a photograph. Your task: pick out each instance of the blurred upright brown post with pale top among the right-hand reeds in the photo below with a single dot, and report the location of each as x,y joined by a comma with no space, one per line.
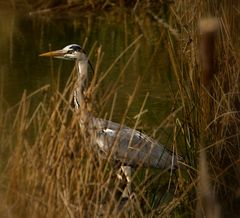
207,204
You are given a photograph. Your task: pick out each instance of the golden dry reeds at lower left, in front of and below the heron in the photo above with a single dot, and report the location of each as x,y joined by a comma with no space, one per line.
53,170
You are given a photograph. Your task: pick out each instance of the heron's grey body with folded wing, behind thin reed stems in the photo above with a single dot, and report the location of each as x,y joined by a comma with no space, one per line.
131,146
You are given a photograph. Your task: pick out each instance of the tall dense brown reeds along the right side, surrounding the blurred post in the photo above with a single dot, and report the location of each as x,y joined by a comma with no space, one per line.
208,81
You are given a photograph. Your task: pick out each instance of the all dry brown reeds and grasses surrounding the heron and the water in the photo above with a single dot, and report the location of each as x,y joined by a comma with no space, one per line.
49,169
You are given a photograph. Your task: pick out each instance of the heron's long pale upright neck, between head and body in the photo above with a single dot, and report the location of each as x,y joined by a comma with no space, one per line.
82,76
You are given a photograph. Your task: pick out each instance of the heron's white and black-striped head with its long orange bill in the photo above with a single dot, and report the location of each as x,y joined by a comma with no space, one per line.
70,52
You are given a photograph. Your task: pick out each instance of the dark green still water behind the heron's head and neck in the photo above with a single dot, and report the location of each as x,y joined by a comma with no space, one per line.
23,37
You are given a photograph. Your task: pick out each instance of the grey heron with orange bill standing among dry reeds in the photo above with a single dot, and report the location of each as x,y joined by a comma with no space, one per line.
129,146
